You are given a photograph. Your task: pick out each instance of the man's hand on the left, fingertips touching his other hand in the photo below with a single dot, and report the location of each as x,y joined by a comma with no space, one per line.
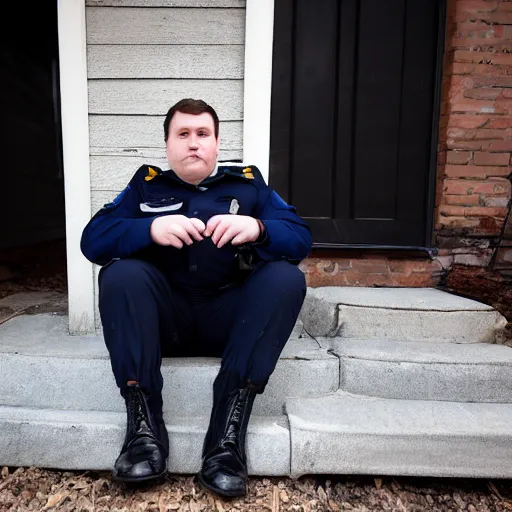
175,230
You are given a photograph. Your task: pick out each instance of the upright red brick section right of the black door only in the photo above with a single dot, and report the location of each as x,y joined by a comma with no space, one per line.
475,140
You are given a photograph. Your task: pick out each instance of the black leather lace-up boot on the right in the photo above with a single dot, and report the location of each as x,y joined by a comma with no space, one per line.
224,468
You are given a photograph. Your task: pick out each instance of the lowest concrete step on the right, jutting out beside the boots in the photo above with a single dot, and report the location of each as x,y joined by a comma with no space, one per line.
350,434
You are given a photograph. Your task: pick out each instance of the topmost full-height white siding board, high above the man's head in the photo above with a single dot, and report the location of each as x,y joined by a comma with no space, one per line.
111,25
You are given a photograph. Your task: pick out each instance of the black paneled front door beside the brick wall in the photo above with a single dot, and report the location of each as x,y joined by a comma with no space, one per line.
353,129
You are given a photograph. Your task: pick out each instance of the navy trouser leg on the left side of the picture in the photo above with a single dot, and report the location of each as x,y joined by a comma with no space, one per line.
140,314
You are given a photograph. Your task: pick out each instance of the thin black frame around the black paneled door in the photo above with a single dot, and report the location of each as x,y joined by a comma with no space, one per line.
279,171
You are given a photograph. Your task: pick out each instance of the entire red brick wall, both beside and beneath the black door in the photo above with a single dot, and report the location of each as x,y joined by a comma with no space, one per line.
474,162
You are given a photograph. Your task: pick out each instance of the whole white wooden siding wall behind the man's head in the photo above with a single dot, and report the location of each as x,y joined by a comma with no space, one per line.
145,55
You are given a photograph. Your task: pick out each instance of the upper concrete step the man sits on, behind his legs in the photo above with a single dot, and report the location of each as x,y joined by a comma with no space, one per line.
43,367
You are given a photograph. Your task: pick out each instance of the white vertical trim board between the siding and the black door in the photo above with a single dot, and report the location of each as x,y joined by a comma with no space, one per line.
259,36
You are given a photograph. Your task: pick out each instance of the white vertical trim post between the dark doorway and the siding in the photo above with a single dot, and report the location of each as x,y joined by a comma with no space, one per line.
75,148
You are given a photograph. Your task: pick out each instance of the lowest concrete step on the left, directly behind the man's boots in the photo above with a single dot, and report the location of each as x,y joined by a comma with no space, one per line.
93,439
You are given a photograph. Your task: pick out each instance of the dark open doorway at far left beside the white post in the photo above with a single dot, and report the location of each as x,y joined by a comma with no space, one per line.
32,214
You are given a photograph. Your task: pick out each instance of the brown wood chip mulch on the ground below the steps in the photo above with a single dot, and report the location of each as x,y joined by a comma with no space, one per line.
33,489
